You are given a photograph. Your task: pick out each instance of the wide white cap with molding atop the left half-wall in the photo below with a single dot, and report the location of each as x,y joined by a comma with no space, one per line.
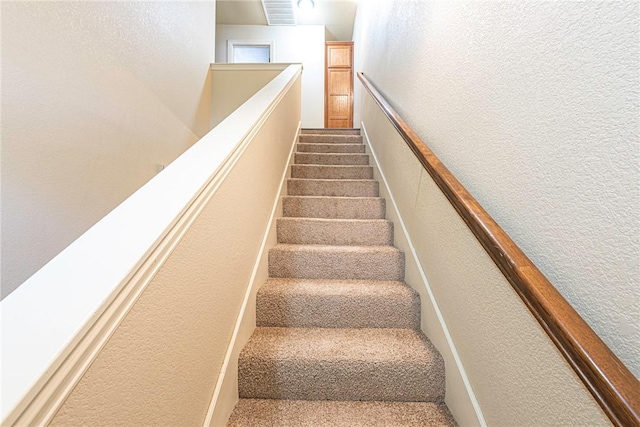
55,324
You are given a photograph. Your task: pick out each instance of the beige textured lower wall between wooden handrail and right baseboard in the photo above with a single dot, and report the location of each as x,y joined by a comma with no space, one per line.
517,375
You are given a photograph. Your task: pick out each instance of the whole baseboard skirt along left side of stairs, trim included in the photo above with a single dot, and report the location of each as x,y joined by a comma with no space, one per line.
225,396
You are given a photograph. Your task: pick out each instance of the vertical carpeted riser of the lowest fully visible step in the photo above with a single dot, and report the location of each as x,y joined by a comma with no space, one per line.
340,380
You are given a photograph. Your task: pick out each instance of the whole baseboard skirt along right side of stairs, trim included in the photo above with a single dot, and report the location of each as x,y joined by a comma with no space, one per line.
460,397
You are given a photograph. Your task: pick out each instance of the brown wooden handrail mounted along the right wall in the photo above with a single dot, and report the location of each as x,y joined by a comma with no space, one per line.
612,385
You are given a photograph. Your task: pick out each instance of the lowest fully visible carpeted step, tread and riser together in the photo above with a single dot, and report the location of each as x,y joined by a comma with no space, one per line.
340,364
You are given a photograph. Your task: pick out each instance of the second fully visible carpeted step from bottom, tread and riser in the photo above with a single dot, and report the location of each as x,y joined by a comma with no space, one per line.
301,303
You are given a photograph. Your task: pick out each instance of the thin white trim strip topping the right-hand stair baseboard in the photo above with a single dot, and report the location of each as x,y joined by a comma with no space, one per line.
452,348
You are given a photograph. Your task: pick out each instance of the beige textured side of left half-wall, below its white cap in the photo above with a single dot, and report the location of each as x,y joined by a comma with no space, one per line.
161,365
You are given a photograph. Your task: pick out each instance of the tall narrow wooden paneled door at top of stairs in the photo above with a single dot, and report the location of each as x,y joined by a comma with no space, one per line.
338,85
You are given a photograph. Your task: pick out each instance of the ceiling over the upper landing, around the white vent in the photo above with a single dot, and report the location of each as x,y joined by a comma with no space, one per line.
336,15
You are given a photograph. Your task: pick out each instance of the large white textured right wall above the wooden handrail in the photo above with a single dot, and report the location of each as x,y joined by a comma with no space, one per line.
535,106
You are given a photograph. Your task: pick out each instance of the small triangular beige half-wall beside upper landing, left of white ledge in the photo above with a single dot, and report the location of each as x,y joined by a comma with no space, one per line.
230,88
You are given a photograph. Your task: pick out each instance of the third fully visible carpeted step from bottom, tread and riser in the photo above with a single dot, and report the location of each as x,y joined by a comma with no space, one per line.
336,262
